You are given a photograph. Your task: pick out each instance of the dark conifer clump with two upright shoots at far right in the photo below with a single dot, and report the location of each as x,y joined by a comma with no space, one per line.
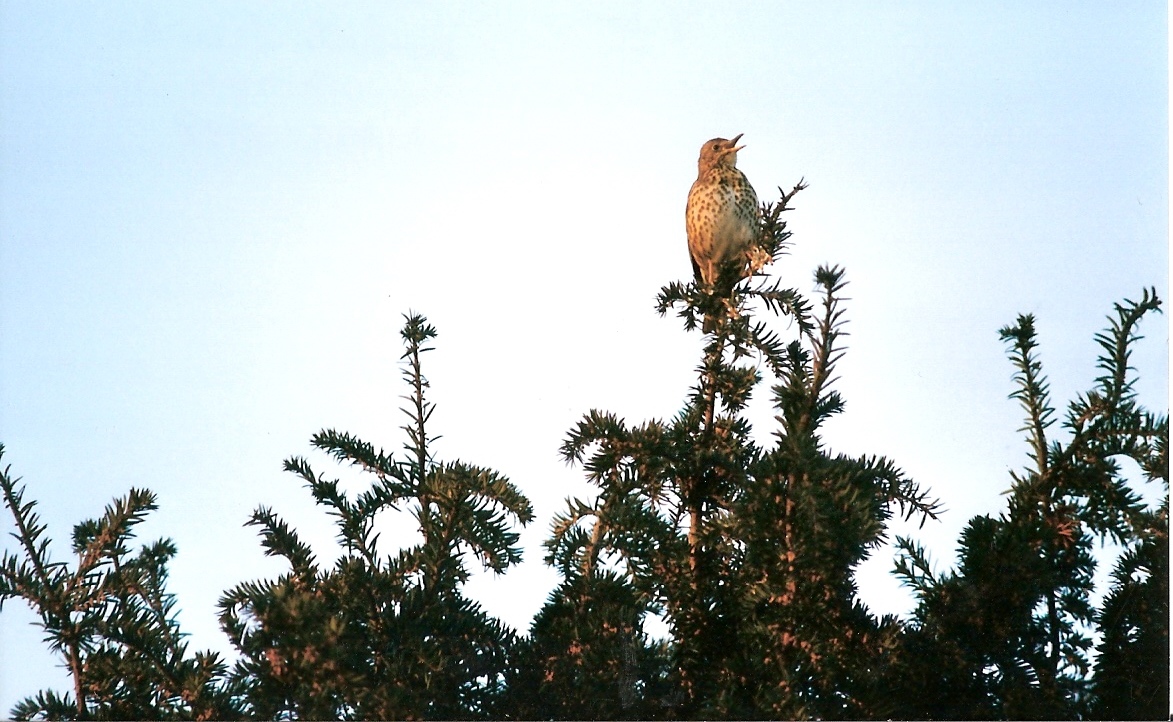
1006,635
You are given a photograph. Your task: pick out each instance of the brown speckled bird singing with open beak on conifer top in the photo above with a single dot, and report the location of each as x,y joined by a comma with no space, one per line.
722,217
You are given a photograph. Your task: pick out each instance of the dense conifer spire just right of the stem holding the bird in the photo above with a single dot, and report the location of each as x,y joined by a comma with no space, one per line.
804,525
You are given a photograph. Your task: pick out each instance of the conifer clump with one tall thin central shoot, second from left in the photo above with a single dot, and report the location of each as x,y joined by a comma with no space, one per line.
382,636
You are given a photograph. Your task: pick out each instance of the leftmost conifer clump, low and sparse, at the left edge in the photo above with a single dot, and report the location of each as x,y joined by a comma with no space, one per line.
110,618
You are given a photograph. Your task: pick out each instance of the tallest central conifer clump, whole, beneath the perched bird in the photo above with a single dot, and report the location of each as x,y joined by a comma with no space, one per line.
748,553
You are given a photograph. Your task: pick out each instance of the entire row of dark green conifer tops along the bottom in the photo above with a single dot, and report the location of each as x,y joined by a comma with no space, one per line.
749,553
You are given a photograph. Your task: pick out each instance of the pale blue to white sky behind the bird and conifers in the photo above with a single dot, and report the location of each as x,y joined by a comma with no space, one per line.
213,217
